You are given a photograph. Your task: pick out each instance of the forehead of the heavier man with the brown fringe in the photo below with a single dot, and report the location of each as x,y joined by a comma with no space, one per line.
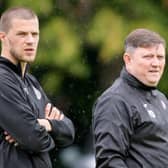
154,49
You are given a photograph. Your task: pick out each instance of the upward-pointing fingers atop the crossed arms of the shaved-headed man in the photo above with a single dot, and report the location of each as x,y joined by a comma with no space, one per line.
53,113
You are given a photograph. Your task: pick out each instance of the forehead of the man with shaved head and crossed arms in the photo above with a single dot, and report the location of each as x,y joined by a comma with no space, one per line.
25,24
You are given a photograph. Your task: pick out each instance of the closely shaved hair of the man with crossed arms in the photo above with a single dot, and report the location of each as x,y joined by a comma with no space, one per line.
12,13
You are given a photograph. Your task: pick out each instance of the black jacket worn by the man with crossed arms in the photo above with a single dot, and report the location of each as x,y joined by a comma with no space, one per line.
22,101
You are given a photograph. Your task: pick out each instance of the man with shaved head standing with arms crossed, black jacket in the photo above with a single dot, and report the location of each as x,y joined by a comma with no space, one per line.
30,126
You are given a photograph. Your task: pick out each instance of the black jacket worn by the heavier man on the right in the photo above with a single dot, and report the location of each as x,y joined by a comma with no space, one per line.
130,125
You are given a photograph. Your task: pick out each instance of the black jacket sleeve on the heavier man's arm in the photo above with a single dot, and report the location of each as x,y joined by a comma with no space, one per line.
111,129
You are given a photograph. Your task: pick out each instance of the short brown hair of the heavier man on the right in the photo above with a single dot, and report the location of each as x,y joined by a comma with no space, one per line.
143,38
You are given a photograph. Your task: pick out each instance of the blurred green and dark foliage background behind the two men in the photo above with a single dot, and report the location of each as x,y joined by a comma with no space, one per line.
80,55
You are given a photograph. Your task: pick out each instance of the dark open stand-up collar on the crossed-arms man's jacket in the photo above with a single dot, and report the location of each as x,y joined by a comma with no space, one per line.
13,67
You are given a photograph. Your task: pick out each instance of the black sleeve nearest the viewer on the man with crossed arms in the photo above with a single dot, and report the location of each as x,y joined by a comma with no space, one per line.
18,119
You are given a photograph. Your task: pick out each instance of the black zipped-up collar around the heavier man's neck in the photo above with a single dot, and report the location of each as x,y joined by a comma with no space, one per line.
131,80
